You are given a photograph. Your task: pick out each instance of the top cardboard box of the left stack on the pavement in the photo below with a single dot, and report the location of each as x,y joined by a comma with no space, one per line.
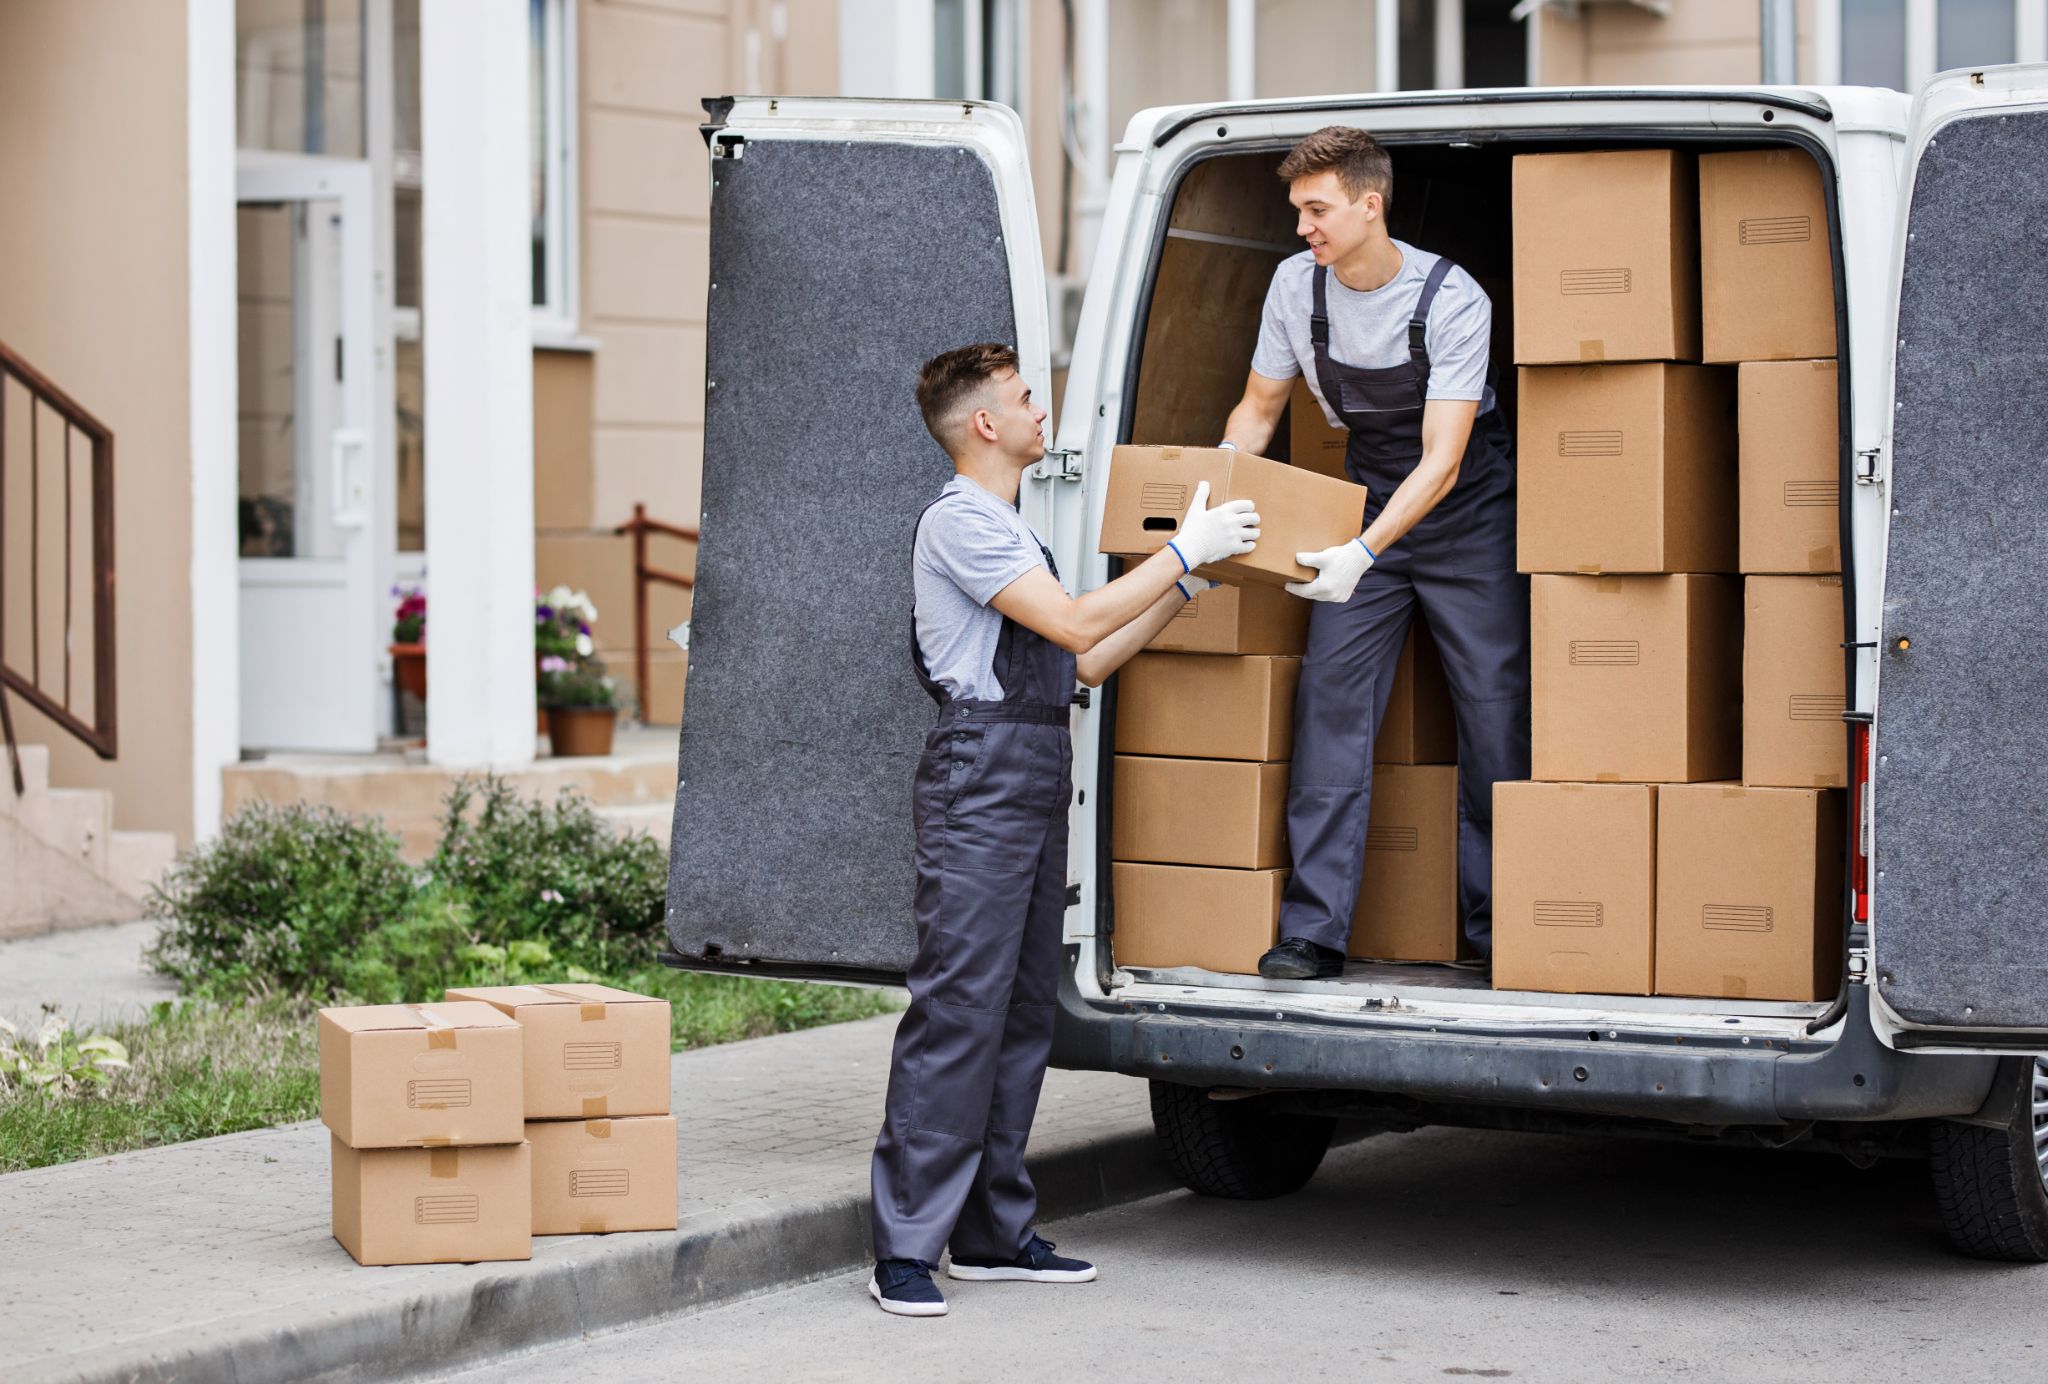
419,1076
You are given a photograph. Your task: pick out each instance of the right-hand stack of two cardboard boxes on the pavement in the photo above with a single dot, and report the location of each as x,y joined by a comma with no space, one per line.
595,1105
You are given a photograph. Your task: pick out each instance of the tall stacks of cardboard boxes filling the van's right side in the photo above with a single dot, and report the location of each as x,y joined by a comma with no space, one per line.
1652,292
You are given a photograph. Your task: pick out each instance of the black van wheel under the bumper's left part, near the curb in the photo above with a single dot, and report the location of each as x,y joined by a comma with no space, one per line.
1242,1150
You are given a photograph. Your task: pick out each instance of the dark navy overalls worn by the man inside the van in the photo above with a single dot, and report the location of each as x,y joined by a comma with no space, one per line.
1459,564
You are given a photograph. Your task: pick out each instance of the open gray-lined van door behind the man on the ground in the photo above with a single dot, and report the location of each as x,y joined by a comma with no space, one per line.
851,241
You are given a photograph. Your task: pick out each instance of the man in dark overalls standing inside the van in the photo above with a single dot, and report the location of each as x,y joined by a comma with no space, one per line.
1394,343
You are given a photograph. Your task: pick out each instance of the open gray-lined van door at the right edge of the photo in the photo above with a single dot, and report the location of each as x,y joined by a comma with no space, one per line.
1961,779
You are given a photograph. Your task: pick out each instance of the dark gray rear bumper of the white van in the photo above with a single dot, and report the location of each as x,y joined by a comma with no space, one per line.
1697,1082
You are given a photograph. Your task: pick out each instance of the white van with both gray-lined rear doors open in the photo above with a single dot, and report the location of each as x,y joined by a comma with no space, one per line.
855,239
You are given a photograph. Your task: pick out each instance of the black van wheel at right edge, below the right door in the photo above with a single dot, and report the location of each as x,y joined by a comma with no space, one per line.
1990,1182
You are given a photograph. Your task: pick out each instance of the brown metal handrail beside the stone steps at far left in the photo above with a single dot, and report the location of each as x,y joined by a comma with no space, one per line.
54,695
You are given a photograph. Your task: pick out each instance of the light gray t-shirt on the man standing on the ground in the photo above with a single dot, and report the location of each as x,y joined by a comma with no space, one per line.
970,548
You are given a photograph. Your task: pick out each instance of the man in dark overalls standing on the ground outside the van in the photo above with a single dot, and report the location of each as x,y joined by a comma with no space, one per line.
998,644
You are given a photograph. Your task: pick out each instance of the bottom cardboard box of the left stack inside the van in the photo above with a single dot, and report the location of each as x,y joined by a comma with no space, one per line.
1191,916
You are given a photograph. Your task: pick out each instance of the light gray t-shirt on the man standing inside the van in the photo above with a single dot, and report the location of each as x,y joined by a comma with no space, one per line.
1371,329
